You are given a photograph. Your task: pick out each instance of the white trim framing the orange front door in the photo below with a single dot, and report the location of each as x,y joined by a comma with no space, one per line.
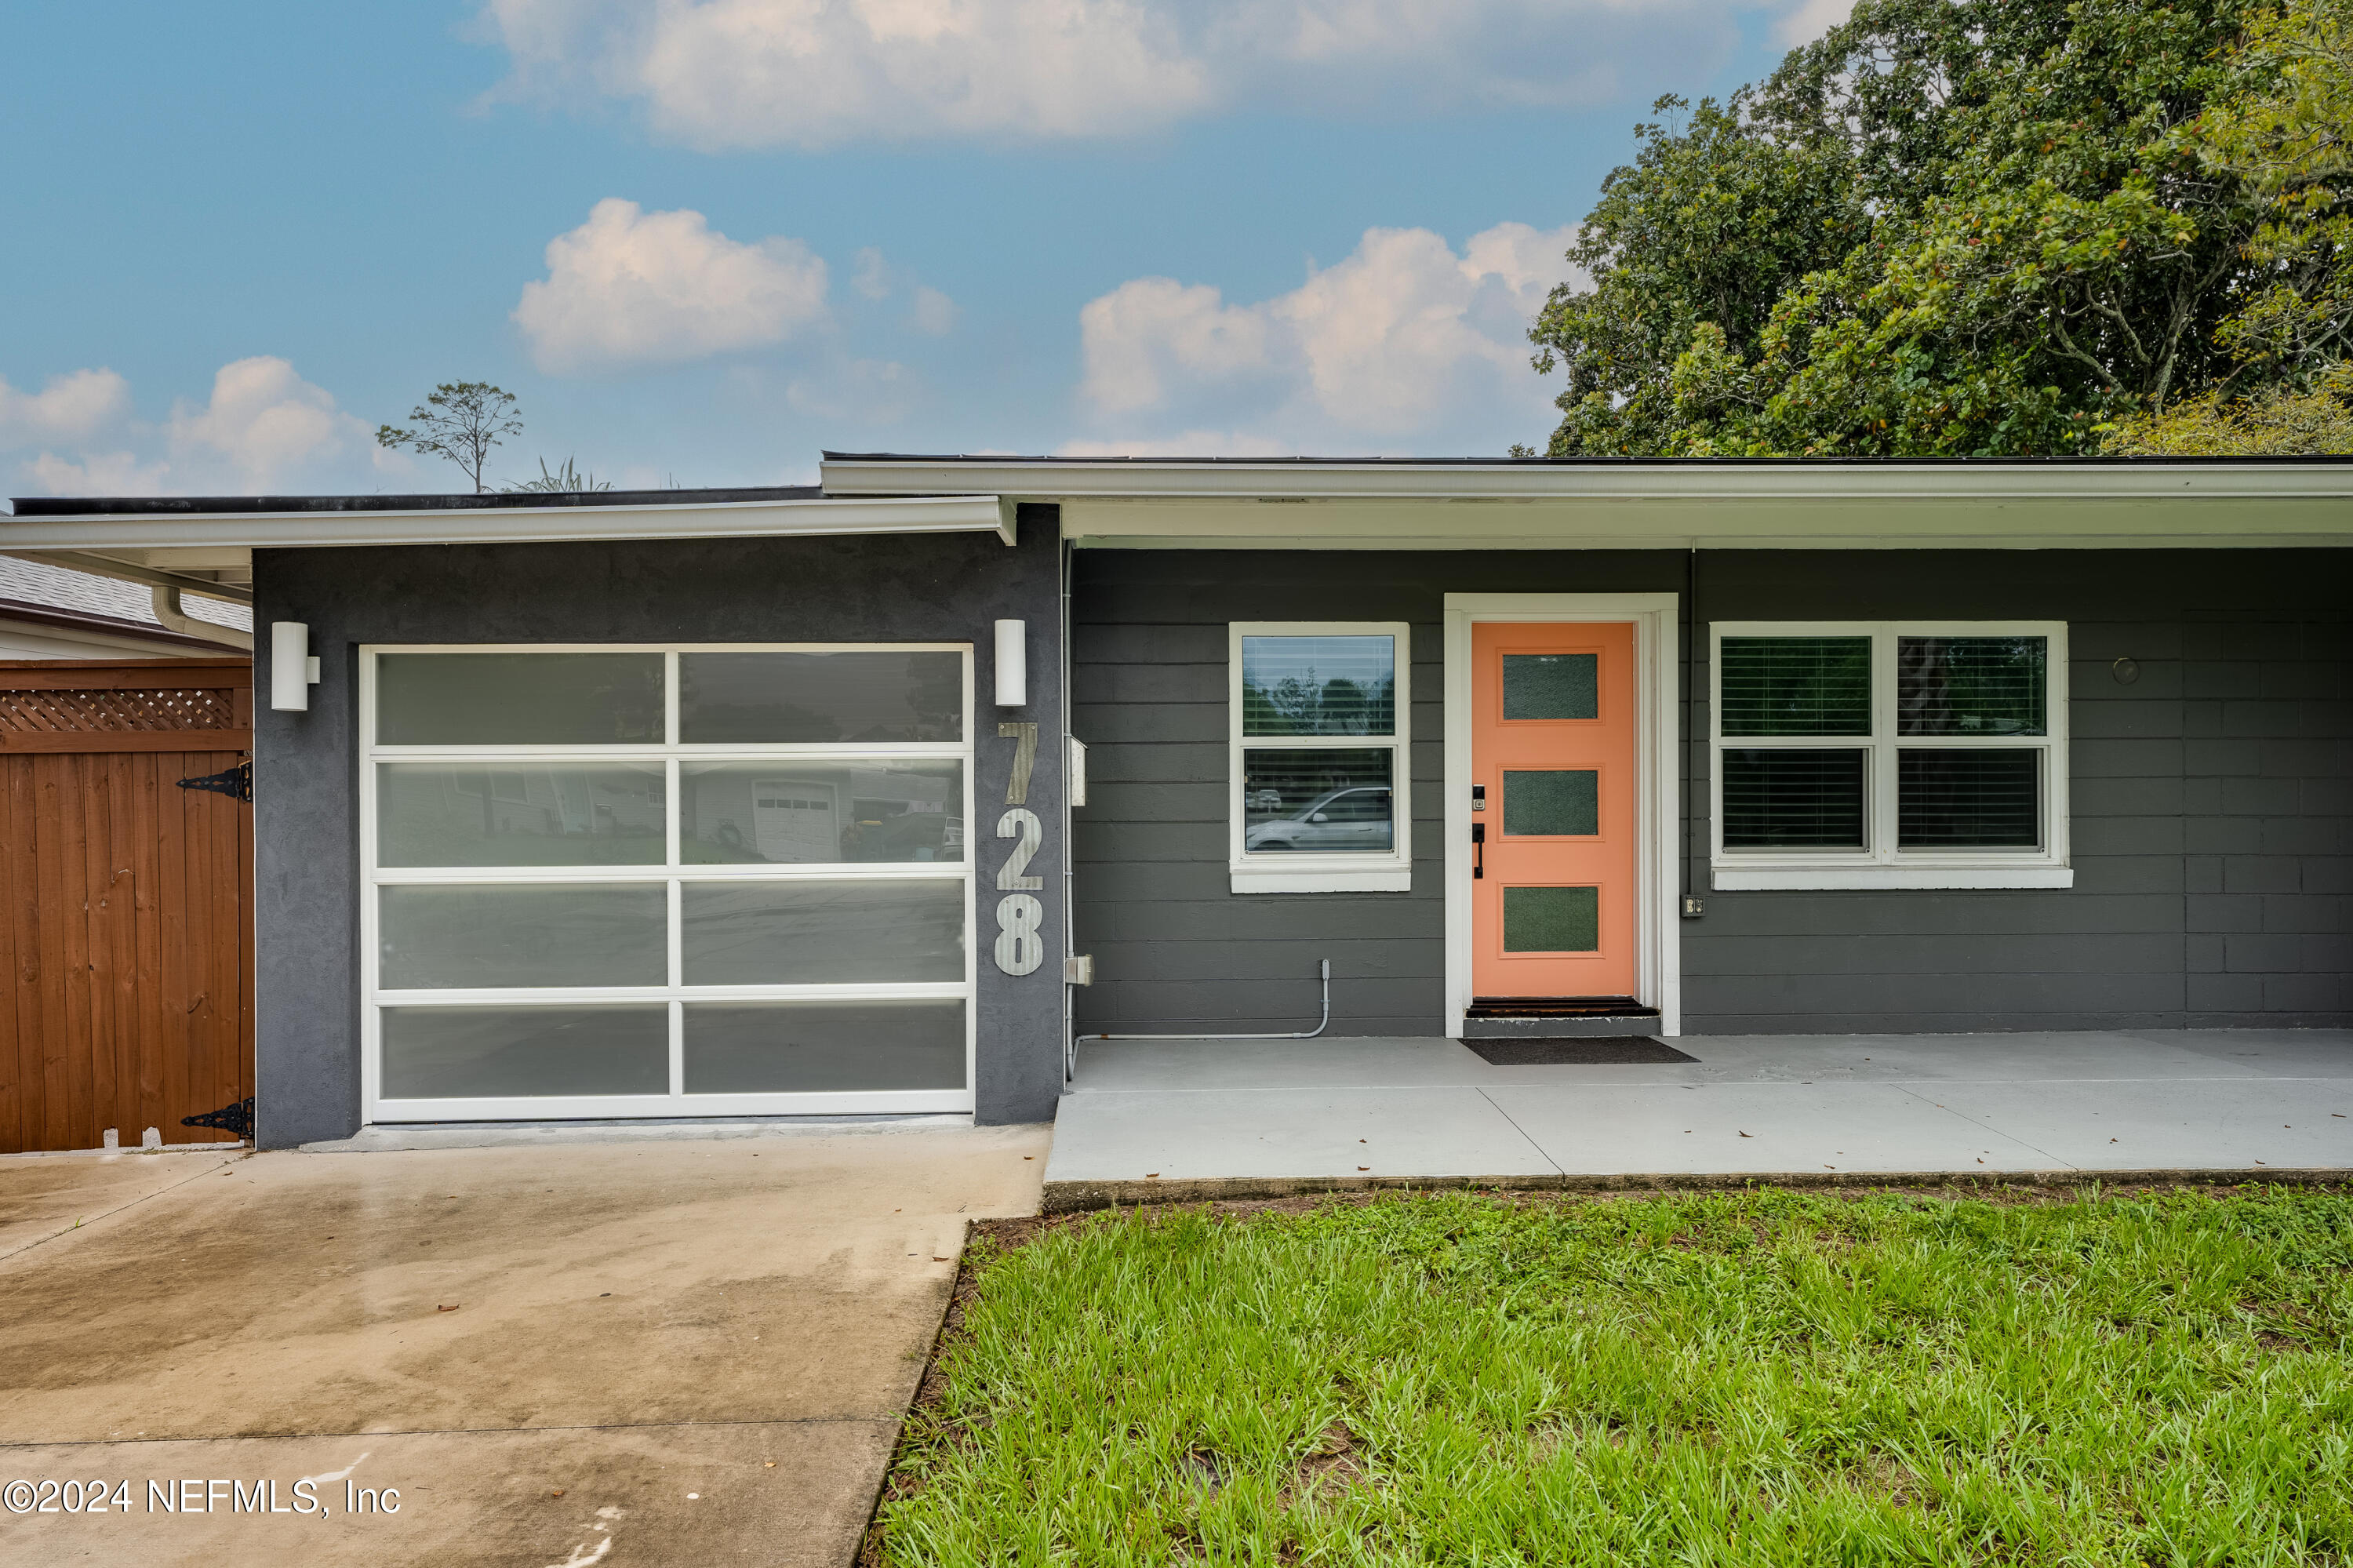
1655,672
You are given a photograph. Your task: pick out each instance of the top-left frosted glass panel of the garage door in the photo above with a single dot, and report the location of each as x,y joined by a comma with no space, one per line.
519,700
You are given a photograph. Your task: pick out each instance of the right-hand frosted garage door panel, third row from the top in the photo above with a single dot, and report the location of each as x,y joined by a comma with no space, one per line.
822,934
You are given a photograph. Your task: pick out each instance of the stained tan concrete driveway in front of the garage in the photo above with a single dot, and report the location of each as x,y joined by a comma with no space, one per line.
653,1353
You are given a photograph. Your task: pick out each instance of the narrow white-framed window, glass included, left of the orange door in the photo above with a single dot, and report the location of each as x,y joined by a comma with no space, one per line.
1319,757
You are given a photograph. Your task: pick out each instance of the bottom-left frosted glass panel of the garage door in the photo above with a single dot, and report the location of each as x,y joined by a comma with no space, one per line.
502,1054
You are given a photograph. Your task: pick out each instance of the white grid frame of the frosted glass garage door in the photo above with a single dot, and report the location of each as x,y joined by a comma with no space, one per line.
669,755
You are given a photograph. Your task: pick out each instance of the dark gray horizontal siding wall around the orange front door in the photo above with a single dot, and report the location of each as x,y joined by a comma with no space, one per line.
2213,813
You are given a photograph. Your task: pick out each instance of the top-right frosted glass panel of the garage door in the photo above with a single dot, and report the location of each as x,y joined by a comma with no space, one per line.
820,698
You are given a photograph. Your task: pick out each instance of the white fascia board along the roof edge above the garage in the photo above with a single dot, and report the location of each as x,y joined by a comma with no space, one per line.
947,514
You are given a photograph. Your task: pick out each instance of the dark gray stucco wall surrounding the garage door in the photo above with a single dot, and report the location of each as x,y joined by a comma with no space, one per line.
855,590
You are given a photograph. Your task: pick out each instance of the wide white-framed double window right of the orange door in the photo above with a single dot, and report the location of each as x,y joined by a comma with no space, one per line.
1891,755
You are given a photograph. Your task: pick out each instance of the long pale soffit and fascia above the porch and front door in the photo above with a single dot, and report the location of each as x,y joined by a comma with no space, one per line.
1639,503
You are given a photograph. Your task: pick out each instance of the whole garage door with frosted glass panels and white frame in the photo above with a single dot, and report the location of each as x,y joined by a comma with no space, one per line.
667,882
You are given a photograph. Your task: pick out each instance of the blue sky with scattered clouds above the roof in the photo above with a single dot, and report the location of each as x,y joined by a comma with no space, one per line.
707,239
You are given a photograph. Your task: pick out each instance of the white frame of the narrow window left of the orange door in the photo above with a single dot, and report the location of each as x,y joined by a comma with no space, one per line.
1335,872
